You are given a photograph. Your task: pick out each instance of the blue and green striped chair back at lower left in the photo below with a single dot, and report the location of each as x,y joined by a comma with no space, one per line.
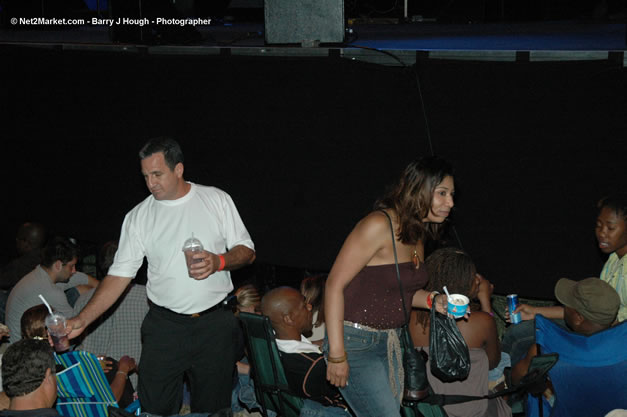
82,387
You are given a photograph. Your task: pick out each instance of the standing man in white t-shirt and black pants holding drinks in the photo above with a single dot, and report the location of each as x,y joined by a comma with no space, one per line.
186,331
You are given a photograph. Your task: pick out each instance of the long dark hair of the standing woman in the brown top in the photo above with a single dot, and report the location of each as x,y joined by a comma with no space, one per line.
410,197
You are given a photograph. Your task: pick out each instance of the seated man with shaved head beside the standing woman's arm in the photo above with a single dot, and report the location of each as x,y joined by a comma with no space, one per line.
305,368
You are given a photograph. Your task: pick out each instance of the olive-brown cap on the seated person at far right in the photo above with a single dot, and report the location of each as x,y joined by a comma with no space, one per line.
593,298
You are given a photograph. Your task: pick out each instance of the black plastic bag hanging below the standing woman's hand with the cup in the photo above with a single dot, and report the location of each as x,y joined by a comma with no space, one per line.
448,351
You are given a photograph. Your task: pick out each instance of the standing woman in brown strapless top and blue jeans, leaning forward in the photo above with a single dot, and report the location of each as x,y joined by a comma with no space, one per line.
363,310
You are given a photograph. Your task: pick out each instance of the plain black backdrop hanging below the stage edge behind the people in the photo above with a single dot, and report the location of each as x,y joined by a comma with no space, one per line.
305,146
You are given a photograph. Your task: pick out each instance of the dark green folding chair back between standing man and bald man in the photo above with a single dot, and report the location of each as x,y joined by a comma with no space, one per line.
271,388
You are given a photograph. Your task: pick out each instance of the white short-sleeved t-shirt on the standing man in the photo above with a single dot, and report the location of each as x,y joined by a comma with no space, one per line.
157,230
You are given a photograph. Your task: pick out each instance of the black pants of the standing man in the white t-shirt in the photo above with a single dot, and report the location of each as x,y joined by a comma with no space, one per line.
175,345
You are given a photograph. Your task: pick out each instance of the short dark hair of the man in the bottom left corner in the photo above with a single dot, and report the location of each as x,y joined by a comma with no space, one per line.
24,366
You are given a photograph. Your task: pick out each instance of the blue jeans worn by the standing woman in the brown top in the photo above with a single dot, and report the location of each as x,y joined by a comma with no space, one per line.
368,392
